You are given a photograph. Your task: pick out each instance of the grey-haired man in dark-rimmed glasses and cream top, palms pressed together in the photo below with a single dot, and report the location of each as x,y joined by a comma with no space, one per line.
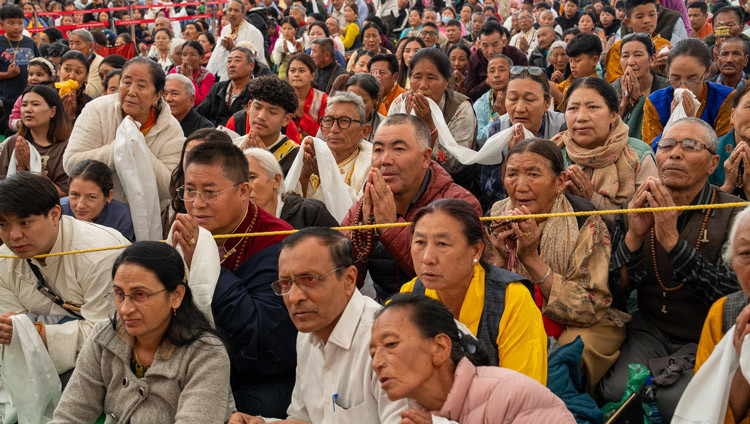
344,130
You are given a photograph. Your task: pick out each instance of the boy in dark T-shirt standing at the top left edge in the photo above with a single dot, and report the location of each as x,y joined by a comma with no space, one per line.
16,51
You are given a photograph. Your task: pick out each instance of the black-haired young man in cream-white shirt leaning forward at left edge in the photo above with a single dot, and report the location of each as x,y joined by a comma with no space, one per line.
62,295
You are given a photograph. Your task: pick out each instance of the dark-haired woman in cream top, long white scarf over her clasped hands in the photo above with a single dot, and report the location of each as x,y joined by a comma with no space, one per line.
429,74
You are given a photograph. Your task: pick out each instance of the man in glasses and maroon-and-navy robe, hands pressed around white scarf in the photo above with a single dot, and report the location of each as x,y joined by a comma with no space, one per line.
217,197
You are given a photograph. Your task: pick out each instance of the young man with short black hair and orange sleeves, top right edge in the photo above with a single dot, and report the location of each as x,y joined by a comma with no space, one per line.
641,16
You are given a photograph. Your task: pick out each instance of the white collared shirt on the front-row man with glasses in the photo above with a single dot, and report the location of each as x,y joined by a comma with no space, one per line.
335,382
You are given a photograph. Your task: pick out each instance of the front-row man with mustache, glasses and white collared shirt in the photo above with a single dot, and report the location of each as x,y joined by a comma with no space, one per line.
334,378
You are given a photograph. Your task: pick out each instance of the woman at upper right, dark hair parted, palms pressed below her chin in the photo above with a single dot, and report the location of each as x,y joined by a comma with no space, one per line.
637,56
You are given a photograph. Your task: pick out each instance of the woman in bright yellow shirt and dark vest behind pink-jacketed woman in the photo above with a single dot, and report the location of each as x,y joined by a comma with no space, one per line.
446,250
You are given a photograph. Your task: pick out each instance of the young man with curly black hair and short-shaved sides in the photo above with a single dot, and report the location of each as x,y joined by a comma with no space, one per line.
265,118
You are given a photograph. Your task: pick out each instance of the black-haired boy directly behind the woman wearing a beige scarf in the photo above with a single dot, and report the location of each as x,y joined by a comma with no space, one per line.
583,52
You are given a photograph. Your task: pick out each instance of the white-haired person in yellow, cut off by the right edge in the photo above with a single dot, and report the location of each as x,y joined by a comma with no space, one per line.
728,310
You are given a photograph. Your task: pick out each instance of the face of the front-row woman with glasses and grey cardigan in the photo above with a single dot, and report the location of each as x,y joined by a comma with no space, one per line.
150,318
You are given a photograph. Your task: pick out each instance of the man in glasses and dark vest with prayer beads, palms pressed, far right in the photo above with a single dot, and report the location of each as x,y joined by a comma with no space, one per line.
673,259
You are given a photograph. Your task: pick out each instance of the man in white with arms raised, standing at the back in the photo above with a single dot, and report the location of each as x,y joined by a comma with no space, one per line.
236,31
